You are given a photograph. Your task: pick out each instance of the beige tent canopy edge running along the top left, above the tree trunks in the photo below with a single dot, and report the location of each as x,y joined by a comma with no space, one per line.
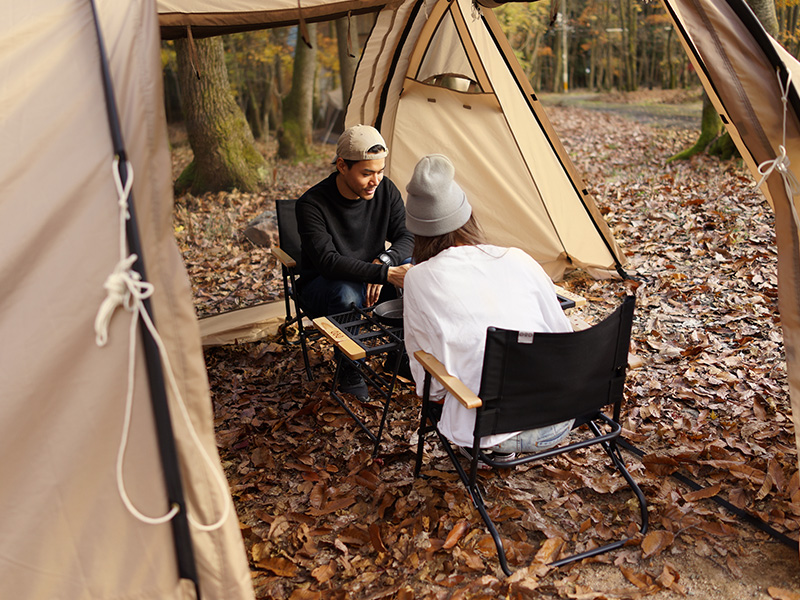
217,17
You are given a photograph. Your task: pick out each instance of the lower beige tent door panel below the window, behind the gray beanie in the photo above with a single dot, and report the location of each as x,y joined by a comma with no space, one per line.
491,176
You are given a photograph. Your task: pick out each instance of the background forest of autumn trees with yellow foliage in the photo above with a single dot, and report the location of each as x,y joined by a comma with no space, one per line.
601,45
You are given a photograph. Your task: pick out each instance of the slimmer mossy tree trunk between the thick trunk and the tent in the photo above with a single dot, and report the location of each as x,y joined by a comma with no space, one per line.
294,137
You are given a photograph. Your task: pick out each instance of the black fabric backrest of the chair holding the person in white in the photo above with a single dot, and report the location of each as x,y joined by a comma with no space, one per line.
530,381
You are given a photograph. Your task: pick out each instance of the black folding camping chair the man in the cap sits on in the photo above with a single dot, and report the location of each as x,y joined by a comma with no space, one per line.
287,253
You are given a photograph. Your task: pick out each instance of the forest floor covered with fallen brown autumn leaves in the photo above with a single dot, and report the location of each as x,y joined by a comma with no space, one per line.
321,519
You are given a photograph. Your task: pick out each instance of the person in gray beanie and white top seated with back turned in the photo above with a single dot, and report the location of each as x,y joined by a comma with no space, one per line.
457,288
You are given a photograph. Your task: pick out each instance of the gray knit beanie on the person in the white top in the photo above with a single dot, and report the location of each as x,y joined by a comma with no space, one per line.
435,204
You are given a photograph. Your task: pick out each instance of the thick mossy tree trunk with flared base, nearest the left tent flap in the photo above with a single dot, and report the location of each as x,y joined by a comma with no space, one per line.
225,156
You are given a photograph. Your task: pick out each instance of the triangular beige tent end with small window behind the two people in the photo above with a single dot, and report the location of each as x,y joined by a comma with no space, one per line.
440,76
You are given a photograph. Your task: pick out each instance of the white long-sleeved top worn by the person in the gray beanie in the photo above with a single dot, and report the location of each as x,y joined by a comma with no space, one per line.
451,299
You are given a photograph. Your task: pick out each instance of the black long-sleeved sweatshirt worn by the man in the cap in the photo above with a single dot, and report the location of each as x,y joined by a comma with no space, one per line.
340,237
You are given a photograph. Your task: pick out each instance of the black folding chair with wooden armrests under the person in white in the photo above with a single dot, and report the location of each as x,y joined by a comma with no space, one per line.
535,381
